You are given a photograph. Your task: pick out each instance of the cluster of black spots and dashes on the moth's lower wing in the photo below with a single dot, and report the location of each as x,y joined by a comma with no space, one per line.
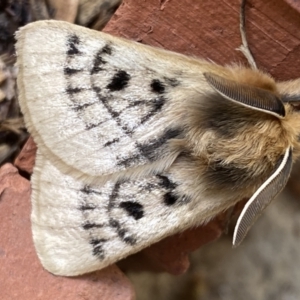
132,208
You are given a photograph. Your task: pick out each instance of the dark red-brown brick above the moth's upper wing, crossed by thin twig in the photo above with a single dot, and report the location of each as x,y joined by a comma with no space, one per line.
210,29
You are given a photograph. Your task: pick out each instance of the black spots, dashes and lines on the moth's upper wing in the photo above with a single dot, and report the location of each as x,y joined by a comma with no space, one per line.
119,81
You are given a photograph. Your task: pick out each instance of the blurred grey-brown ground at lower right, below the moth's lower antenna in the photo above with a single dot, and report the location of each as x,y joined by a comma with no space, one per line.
265,267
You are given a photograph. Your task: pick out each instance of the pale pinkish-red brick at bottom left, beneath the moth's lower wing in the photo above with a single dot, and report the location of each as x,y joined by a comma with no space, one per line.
22,276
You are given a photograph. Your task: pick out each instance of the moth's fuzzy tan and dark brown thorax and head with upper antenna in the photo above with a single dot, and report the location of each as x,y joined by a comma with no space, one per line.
245,129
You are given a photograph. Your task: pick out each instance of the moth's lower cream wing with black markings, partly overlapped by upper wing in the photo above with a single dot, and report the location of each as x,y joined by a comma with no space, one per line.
79,228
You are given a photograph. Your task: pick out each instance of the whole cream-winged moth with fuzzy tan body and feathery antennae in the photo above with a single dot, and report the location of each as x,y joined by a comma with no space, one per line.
137,143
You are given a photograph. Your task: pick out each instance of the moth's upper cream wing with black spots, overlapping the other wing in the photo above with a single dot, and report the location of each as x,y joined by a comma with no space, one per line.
99,105
